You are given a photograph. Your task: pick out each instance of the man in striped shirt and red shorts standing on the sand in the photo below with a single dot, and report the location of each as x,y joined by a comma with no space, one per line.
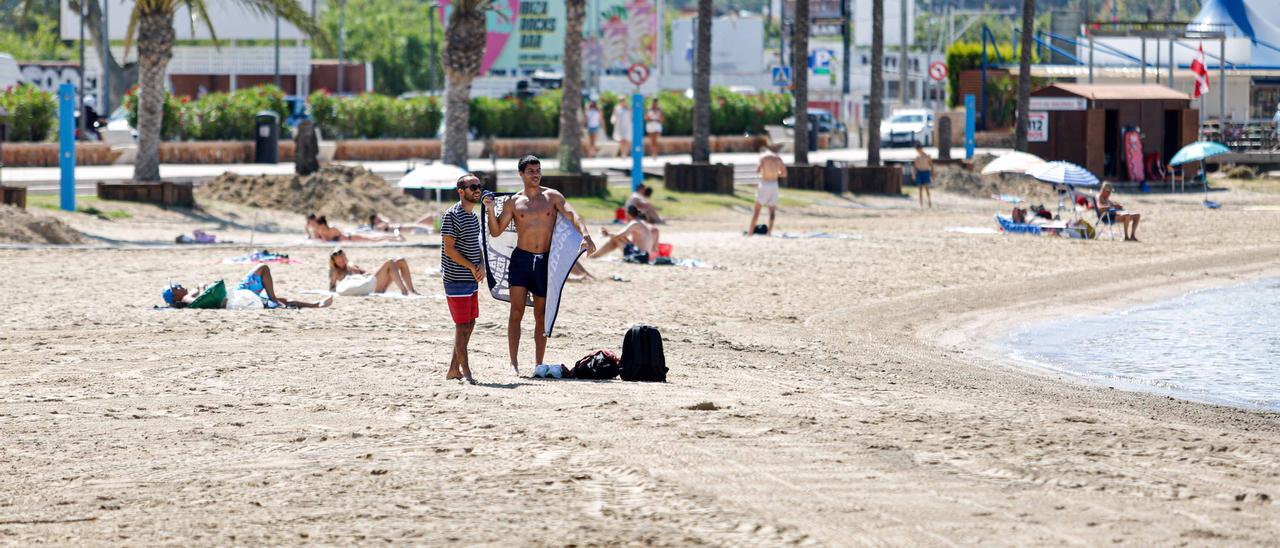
463,271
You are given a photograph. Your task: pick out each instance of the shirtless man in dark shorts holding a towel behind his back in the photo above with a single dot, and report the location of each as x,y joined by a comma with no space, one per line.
534,211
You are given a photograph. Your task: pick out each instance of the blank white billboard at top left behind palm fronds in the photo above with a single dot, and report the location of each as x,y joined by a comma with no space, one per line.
231,21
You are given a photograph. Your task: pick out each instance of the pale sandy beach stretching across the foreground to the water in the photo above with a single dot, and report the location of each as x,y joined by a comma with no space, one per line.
830,392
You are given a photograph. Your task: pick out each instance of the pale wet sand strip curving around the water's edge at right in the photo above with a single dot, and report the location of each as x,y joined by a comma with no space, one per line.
993,330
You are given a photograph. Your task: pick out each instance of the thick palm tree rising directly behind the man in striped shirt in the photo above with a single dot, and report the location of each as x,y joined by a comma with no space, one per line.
464,51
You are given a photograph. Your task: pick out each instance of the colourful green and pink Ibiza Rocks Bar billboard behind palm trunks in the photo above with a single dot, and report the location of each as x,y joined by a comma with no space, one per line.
529,35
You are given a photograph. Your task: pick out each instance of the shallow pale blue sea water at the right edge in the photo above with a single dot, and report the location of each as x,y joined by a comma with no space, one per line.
1219,346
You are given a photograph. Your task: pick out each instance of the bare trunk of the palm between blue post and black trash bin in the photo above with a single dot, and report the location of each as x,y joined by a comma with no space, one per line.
156,48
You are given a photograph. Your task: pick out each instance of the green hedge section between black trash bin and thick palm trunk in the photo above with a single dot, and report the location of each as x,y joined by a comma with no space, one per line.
372,116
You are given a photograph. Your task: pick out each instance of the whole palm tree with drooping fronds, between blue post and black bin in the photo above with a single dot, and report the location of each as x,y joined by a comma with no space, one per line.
152,25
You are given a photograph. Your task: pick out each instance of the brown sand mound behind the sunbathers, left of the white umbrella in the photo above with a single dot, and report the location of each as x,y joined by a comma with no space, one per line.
336,191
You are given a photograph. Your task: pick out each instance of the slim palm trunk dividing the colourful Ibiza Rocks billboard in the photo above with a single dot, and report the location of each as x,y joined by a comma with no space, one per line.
572,103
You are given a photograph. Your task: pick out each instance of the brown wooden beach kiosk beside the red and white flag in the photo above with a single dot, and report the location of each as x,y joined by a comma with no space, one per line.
1116,131
